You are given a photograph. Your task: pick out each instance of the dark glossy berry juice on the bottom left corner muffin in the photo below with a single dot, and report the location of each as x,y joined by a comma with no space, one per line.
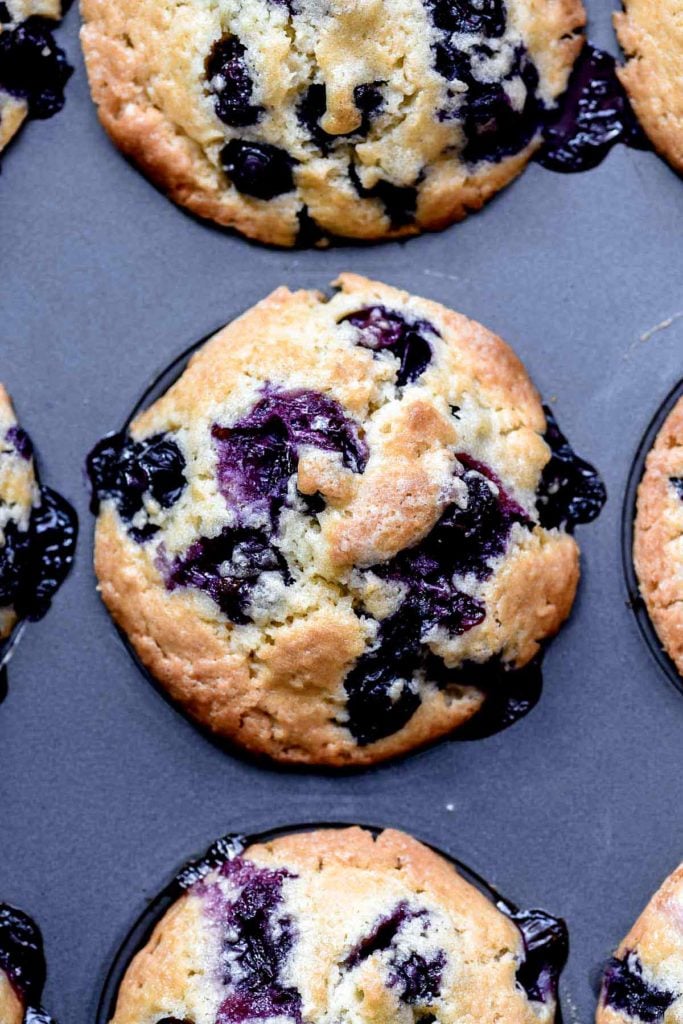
23,960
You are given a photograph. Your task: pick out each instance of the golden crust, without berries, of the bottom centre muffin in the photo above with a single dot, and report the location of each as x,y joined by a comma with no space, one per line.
340,883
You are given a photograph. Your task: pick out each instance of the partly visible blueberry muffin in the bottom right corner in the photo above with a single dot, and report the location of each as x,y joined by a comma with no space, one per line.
645,980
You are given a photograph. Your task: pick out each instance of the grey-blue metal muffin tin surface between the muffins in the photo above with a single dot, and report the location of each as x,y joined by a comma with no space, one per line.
105,789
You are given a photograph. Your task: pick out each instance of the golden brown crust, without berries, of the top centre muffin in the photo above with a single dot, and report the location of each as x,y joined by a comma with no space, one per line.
158,114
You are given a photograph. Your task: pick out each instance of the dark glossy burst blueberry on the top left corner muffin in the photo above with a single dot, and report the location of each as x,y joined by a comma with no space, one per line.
33,67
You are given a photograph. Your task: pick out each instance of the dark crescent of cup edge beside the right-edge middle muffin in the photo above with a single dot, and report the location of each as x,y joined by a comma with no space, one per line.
636,603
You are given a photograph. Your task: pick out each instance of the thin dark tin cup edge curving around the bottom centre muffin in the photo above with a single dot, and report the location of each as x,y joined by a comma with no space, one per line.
232,845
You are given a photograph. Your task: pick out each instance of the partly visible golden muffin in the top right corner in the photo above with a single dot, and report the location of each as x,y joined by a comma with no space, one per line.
652,36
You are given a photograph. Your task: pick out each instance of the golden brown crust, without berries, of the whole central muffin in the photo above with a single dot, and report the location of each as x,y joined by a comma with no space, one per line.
277,688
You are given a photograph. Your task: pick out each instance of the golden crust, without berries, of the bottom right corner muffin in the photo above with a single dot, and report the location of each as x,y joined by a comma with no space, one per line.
657,942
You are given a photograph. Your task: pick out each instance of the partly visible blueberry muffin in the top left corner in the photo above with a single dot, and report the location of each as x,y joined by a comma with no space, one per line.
33,68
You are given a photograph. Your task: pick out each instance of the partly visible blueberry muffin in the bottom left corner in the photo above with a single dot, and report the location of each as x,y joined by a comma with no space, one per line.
22,969
